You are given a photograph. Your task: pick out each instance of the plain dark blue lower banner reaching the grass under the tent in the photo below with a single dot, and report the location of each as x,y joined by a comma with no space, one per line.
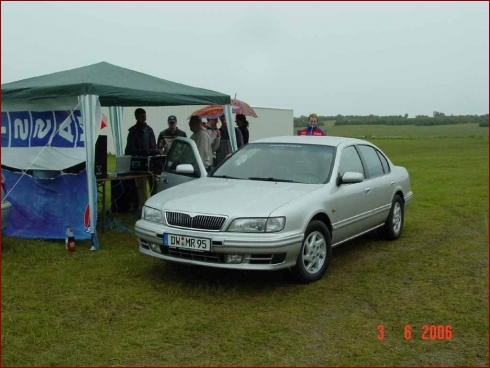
42,208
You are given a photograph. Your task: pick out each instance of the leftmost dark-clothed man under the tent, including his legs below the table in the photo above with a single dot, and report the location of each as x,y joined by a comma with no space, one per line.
140,141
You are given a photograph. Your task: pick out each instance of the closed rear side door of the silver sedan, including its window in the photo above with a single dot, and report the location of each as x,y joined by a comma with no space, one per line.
379,181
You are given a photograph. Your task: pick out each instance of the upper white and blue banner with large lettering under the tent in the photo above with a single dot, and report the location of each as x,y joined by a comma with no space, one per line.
40,135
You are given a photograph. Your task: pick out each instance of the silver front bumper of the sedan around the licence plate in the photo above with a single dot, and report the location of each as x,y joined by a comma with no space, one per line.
272,251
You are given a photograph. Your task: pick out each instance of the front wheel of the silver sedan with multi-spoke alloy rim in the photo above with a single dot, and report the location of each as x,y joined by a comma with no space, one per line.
315,253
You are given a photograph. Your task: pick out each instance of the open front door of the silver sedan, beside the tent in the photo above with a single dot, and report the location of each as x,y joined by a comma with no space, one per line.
182,152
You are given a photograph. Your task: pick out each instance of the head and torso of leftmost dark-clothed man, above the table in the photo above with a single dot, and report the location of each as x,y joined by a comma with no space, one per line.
141,138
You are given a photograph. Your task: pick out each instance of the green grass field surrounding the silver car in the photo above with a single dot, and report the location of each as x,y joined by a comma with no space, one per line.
118,307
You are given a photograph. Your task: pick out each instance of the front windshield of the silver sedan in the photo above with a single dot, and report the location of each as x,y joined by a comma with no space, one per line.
284,162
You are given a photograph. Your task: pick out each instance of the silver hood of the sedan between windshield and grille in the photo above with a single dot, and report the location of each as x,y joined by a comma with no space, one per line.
229,197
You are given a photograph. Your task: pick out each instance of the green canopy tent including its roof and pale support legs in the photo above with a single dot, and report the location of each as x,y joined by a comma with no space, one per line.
114,87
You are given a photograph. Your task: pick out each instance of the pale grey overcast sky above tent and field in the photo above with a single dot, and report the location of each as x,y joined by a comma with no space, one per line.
330,58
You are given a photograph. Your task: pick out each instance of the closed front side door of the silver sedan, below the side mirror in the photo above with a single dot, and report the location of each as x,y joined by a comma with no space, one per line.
353,207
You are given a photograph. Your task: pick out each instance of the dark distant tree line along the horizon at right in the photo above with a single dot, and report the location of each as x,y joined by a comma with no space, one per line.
437,118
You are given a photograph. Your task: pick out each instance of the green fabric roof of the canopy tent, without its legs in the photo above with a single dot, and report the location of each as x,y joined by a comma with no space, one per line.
114,85
